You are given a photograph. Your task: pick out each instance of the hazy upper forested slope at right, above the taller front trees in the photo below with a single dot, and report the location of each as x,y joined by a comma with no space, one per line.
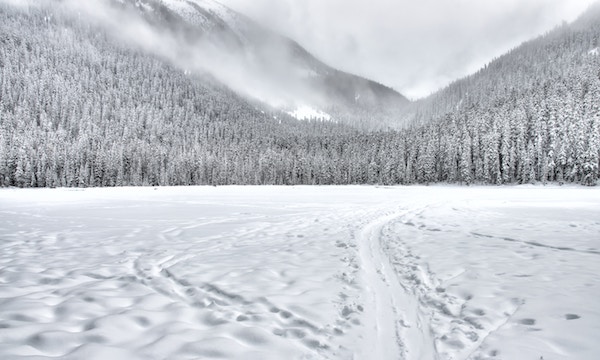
529,70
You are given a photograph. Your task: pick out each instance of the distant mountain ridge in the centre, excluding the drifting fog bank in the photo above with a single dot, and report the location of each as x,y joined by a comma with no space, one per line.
288,75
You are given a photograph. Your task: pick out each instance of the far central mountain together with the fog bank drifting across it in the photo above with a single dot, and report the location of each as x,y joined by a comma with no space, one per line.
205,37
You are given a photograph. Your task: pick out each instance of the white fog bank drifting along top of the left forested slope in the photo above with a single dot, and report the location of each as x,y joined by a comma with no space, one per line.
241,71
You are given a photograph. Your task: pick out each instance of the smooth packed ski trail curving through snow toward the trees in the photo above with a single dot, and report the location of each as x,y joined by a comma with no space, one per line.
396,327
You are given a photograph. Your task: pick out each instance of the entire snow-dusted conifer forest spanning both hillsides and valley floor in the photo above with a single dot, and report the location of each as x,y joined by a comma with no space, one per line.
78,108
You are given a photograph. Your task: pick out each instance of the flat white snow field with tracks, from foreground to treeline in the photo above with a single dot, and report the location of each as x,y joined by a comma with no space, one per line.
300,273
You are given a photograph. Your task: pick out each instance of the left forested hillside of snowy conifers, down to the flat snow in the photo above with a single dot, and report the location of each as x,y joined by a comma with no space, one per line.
78,109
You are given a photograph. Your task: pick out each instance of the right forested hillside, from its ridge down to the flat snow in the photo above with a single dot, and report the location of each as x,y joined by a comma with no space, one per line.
531,115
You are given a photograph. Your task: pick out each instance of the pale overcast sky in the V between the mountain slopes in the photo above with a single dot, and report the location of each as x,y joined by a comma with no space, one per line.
414,46
